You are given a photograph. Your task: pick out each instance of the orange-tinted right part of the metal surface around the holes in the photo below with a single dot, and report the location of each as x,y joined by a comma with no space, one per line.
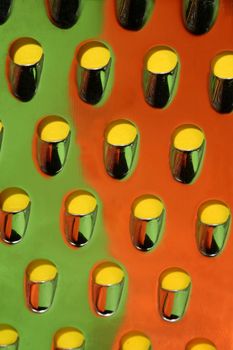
210,310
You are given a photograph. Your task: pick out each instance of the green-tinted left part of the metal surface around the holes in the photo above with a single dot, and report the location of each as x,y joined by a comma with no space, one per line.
43,237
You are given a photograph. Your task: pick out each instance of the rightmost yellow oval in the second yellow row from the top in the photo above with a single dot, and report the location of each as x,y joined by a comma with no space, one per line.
188,138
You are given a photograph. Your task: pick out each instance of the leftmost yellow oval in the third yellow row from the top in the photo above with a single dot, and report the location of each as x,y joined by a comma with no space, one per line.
13,200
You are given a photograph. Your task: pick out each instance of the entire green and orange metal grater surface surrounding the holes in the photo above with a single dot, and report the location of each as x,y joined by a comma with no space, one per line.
212,287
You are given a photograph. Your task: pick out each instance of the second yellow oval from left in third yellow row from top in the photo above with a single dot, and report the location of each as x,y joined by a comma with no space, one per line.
80,203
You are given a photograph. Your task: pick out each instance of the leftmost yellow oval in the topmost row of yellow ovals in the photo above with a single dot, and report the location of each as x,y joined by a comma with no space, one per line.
26,52
